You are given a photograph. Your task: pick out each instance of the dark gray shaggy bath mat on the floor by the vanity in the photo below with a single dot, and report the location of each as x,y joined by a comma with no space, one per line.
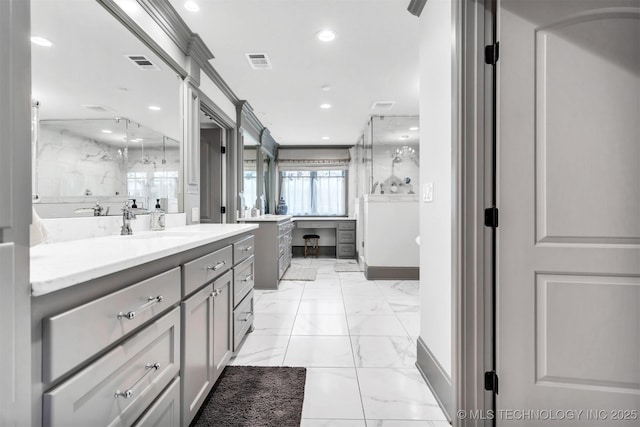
255,396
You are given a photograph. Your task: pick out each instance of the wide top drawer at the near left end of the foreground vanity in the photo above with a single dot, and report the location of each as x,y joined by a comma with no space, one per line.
74,336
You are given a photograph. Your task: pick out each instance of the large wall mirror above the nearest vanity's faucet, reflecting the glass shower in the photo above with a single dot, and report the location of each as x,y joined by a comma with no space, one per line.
107,124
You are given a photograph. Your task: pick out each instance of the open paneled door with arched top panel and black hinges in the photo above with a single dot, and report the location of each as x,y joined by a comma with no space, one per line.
569,198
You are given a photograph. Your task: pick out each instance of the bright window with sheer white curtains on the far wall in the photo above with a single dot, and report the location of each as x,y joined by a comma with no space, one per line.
314,192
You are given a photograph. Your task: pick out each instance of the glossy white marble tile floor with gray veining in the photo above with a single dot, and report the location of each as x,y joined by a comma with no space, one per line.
357,339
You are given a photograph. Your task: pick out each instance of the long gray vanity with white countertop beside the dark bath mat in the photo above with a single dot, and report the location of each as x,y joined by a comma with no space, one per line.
135,330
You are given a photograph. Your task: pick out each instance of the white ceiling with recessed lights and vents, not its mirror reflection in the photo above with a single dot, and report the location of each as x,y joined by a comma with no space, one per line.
374,57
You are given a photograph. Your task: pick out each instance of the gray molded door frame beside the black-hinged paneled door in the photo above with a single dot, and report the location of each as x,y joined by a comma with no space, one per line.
473,306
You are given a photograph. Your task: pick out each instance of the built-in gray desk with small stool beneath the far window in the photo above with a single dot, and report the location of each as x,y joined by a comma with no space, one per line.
339,233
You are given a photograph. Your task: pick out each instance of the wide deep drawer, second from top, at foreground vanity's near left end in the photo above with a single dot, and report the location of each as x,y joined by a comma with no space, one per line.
117,388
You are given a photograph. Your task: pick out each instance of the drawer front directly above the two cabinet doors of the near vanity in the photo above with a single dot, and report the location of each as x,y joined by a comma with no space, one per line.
204,269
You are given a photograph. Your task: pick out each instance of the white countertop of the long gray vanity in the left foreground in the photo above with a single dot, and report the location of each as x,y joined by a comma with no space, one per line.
56,266
